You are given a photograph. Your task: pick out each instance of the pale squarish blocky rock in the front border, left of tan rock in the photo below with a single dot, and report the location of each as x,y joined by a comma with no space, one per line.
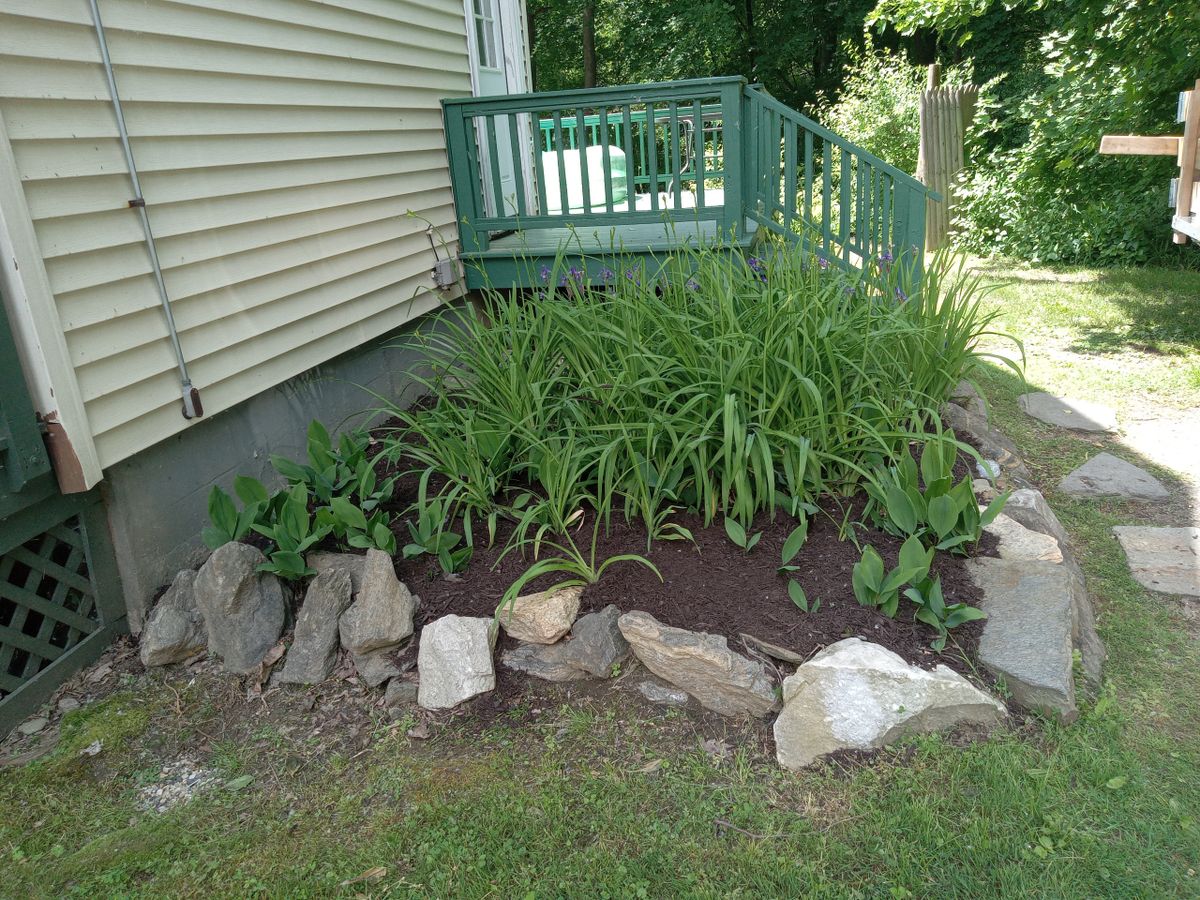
454,662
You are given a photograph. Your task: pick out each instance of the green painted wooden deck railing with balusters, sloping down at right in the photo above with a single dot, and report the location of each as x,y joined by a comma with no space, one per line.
617,157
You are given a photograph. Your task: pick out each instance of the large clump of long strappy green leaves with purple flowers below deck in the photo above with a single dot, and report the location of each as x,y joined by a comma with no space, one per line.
713,383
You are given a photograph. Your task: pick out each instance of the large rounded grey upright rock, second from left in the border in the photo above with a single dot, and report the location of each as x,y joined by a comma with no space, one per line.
243,609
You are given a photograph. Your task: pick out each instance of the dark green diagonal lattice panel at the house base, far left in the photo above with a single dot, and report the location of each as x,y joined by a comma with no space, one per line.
47,603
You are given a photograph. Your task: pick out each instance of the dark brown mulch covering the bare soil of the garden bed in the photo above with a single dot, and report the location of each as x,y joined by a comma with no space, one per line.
713,586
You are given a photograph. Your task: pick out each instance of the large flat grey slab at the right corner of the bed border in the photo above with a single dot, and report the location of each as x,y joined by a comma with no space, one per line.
1039,614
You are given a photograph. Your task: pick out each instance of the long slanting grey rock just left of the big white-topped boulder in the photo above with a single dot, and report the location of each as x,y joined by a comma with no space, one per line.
701,664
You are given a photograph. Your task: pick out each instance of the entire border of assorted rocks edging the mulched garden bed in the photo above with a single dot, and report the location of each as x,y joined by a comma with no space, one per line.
851,695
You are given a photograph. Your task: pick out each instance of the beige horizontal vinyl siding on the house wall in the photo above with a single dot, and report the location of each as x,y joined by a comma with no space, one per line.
281,146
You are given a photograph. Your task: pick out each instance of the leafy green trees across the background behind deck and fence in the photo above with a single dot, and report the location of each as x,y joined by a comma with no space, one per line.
1059,75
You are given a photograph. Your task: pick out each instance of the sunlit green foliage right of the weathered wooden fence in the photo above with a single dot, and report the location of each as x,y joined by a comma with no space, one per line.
1039,189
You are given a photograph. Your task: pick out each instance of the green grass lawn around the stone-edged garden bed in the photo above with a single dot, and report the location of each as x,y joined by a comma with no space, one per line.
611,800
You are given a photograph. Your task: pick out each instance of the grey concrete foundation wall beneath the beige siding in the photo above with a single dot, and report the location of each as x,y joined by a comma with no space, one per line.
158,500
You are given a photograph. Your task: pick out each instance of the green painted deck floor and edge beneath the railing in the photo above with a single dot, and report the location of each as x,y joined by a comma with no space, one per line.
514,260
